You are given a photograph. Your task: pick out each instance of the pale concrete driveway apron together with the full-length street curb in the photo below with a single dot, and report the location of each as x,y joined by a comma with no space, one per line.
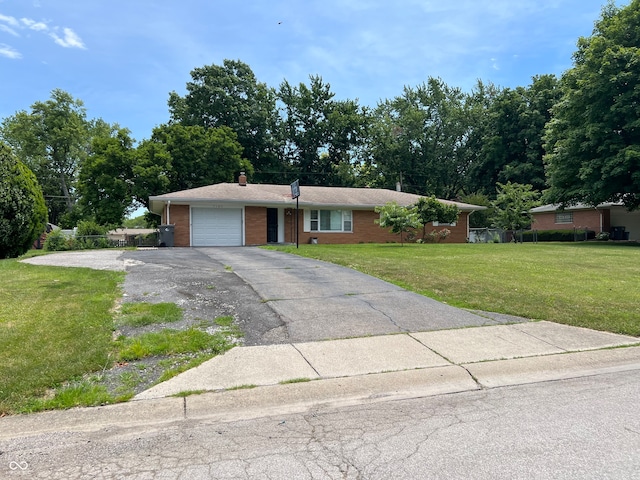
276,379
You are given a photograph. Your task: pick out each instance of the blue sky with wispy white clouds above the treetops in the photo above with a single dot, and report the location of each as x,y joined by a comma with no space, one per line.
123,57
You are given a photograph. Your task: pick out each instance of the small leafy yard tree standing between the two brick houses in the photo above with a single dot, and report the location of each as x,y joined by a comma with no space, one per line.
512,206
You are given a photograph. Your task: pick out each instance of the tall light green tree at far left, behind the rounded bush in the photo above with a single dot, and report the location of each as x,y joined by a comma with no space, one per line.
52,141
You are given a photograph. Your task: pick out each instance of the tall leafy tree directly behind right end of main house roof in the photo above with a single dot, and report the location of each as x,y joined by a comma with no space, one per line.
420,140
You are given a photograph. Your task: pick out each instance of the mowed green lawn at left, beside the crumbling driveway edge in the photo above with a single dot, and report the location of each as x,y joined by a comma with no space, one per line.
55,325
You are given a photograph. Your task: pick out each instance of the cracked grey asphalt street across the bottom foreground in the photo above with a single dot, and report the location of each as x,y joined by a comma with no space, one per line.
586,428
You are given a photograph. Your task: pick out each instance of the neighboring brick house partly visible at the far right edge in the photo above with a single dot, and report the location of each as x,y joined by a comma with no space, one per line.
607,217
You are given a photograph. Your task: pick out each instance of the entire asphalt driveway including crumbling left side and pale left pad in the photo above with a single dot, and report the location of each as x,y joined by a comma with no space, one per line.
275,297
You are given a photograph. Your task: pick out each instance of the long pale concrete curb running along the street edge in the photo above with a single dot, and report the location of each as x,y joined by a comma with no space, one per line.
290,398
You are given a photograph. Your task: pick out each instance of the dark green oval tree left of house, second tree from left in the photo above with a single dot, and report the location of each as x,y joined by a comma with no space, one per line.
106,176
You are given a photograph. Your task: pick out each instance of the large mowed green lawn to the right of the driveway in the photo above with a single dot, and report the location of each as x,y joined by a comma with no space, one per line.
594,285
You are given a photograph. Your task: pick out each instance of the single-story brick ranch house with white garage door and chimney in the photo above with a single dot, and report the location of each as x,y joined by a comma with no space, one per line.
229,214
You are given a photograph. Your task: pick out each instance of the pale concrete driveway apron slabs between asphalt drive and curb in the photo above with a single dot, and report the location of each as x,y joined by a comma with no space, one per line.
492,355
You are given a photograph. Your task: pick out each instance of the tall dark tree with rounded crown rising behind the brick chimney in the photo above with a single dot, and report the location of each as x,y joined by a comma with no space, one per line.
229,95
